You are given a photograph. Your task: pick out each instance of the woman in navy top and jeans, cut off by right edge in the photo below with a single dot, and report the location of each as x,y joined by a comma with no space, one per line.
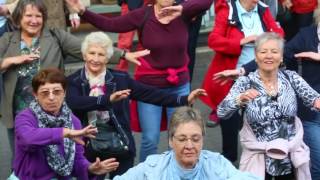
301,54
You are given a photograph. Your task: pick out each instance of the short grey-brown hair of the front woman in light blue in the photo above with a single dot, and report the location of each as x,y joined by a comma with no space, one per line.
183,115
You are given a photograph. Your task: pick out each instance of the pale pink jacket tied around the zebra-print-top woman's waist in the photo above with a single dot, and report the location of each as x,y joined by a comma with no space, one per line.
253,152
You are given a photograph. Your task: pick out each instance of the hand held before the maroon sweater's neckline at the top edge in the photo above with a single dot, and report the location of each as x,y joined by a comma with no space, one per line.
170,13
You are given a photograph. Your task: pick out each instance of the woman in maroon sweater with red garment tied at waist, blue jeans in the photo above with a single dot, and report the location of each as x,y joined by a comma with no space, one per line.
166,66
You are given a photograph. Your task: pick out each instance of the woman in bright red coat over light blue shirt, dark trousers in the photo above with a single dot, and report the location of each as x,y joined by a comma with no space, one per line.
237,24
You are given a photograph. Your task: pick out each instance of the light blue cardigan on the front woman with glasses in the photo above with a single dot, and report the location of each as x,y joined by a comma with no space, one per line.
211,166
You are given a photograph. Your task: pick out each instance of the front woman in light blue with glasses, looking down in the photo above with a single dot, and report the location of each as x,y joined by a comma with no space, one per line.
186,160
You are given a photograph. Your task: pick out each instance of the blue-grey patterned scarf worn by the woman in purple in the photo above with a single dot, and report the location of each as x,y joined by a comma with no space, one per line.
61,164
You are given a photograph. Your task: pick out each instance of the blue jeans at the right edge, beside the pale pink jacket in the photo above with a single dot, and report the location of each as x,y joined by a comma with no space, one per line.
311,138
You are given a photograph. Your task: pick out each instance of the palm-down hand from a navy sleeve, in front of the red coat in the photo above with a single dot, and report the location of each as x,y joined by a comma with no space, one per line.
225,76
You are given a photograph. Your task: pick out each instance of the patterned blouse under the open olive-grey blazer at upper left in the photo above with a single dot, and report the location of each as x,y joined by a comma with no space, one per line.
23,91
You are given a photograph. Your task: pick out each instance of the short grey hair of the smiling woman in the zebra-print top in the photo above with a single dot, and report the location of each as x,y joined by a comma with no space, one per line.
266,37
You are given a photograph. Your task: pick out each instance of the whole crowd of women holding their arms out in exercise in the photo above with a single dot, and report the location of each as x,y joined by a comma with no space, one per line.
259,87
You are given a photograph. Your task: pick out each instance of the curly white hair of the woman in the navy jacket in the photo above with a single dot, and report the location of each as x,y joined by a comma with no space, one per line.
99,38
